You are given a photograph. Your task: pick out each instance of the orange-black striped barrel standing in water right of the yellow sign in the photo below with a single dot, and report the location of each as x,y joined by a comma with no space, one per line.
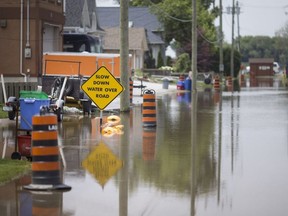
149,108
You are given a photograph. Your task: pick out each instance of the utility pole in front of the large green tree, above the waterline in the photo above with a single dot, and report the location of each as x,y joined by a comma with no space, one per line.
194,46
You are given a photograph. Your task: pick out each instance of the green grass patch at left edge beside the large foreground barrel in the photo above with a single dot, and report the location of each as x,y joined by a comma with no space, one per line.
12,169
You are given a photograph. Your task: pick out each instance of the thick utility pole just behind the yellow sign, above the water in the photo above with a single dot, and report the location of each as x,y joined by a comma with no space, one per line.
124,56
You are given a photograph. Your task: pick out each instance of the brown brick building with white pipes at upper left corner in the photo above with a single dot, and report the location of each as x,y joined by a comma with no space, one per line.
27,29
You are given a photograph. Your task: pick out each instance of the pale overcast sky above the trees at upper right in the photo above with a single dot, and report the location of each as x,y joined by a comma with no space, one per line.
257,17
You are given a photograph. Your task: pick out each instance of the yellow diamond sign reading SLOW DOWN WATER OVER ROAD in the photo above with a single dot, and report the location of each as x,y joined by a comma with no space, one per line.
102,87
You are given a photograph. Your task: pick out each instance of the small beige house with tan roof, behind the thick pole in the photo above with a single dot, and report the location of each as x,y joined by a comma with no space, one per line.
137,44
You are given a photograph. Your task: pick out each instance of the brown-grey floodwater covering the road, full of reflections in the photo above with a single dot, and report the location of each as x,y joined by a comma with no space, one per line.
217,154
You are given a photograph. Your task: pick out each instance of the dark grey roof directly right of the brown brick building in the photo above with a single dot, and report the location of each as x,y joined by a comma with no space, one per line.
75,10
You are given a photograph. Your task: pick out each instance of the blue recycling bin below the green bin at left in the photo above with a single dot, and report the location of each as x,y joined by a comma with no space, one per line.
28,108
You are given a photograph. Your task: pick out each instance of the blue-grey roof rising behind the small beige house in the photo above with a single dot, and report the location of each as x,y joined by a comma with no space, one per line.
141,17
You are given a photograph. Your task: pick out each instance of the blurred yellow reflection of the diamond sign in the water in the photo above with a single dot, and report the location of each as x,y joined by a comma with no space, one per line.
102,163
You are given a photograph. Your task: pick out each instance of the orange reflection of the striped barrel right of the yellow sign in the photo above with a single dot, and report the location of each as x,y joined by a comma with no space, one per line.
149,143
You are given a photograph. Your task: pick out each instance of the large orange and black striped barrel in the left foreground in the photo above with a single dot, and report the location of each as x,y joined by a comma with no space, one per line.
45,153
